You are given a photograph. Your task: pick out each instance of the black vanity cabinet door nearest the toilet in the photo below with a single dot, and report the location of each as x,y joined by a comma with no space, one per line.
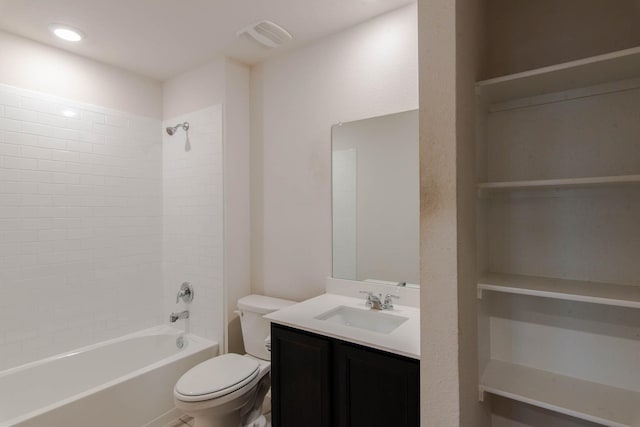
300,375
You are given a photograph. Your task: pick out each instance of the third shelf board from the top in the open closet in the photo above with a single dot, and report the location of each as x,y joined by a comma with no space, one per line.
571,290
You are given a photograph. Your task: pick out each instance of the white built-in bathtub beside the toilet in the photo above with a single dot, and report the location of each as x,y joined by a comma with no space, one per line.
123,382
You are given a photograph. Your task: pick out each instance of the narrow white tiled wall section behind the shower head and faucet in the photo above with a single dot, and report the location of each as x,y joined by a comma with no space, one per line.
193,223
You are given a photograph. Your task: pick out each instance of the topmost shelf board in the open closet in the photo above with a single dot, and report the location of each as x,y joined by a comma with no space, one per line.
591,71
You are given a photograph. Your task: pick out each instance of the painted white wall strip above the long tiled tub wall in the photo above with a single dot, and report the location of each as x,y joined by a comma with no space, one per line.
31,65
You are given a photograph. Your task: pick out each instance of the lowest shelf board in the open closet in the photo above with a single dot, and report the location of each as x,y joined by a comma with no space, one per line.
567,395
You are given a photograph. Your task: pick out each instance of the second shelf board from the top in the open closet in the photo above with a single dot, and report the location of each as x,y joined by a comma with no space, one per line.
596,181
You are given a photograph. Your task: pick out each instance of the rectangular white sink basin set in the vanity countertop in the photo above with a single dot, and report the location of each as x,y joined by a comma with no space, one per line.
371,320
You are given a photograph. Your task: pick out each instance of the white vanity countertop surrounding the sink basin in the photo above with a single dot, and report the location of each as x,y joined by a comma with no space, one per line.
405,340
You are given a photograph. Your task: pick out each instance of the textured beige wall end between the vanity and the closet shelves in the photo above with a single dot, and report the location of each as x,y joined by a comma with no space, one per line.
450,41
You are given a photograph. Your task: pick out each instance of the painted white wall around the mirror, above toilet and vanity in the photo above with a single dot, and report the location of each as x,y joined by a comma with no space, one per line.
368,70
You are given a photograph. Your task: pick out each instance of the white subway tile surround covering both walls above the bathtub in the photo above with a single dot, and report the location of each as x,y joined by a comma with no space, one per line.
81,223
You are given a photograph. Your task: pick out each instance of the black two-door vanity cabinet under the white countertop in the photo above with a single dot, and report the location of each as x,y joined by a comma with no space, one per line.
321,381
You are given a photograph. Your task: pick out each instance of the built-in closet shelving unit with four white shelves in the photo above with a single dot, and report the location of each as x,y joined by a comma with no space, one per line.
576,121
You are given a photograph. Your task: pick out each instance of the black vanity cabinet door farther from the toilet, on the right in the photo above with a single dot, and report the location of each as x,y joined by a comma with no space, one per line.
374,388
